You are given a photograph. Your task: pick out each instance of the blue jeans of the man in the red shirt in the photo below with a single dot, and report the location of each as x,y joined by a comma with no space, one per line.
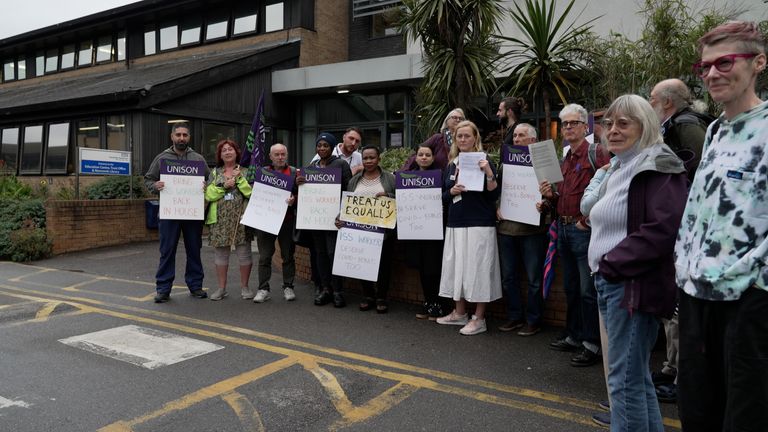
581,322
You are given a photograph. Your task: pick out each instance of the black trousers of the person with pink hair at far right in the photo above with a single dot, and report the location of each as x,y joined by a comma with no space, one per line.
723,363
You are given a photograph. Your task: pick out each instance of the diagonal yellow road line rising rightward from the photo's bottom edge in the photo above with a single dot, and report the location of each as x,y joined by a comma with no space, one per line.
218,389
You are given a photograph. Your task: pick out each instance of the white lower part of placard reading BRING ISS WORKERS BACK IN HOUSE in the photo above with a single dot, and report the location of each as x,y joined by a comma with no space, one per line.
182,197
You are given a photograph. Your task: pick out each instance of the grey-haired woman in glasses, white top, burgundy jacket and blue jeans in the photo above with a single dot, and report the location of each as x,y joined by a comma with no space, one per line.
634,225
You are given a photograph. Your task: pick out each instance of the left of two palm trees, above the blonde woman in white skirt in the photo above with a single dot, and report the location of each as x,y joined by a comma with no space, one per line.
459,49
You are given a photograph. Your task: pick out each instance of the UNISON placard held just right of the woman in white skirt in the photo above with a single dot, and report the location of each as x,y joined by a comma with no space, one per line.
519,186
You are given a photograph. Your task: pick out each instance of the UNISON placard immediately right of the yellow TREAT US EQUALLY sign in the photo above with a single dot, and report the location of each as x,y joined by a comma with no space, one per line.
419,205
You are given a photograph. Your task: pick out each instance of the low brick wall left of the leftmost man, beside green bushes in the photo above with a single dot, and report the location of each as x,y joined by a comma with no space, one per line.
81,225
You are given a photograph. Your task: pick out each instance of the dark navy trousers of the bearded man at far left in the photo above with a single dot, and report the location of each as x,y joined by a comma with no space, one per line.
170,231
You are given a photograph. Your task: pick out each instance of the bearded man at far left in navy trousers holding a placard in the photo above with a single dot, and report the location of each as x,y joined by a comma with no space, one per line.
180,155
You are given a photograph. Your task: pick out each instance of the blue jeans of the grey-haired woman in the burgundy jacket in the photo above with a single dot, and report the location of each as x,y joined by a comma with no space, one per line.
634,407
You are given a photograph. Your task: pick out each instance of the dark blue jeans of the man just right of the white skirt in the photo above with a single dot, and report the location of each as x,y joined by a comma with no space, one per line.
531,249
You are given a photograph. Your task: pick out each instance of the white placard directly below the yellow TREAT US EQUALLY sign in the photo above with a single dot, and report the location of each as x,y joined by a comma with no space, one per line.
358,251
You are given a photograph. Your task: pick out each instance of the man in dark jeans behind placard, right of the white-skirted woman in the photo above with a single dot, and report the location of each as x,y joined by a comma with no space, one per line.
527,243
